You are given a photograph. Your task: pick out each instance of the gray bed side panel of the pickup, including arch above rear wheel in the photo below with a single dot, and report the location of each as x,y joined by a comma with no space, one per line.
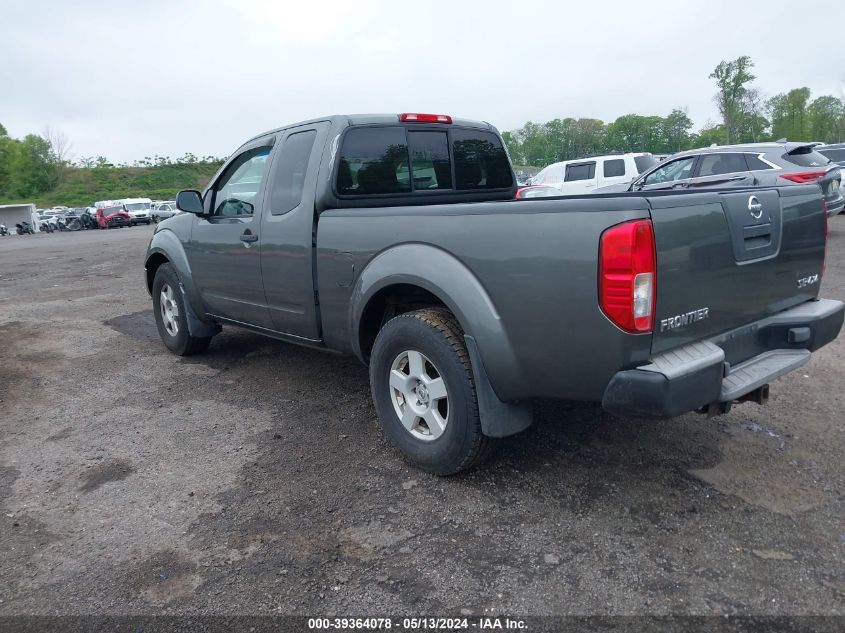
537,263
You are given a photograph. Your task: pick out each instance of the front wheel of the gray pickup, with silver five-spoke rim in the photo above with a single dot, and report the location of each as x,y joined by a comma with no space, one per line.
170,315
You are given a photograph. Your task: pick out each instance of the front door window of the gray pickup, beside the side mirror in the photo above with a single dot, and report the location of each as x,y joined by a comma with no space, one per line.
237,189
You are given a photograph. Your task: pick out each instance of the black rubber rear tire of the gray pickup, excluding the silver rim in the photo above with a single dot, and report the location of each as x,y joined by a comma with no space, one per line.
436,334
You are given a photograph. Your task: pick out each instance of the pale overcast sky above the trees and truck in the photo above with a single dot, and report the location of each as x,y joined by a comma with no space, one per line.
133,79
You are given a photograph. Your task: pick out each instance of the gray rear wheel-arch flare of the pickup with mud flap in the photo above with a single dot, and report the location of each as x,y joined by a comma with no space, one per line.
495,367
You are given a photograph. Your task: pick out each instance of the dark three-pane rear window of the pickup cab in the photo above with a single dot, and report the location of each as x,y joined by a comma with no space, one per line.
395,160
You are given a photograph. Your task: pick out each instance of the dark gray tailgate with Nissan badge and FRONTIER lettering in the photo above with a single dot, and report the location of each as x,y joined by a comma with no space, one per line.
725,259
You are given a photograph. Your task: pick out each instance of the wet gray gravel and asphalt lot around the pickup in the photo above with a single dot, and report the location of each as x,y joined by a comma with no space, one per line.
255,478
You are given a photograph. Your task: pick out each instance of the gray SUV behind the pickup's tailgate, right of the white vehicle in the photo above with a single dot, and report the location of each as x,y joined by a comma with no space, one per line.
750,165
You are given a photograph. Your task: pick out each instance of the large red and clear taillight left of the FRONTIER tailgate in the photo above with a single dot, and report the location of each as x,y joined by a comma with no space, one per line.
628,275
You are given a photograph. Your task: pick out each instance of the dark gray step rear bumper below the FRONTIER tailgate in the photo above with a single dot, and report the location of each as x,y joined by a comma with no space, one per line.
697,375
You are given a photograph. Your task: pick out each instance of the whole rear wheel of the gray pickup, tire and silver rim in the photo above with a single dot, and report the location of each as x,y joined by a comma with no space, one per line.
424,392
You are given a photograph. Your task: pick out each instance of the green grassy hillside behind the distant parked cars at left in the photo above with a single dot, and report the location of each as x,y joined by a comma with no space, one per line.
81,186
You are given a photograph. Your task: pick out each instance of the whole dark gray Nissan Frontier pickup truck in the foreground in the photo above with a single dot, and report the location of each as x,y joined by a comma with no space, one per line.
396,238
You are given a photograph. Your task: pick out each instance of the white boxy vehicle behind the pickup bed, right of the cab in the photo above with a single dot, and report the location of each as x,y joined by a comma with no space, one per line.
575,177
